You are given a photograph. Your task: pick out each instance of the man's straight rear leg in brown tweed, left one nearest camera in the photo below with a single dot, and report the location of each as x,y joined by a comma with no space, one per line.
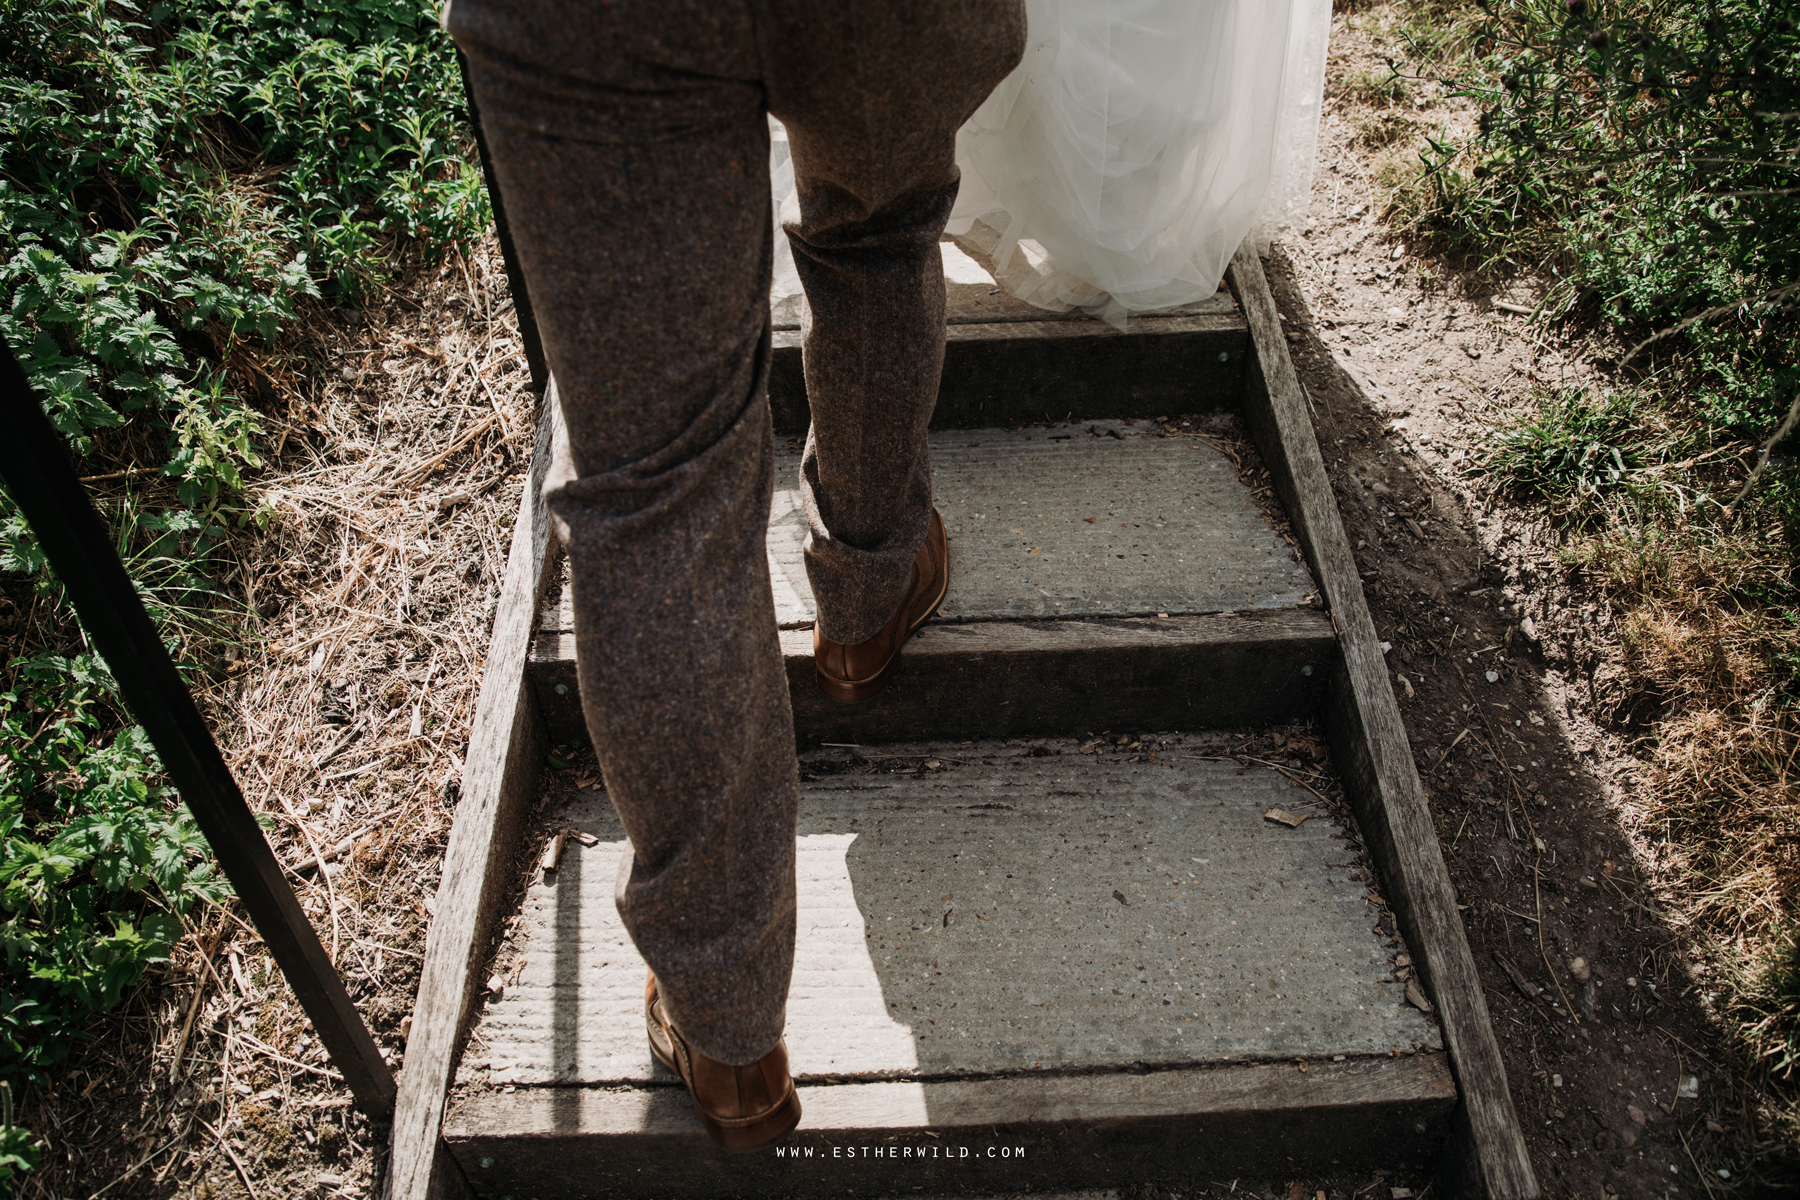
633,150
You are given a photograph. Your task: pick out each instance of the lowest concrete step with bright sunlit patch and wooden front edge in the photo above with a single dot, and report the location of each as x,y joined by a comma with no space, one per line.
1012,960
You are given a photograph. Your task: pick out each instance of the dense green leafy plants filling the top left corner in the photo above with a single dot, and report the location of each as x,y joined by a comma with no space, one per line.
177,183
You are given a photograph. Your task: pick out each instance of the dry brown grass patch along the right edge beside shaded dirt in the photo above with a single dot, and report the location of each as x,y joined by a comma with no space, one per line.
1722,782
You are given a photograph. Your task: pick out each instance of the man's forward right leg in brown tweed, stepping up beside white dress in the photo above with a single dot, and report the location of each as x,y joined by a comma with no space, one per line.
872,94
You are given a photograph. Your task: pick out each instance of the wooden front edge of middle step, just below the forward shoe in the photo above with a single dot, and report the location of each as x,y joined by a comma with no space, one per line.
1002,679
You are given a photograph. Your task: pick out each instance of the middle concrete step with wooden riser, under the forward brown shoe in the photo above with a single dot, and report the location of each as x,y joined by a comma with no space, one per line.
1102,577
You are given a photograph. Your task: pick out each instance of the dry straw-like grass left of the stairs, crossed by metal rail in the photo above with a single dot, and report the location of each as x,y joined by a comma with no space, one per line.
390,496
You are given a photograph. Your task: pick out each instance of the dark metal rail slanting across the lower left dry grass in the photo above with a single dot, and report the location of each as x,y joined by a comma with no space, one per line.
37,472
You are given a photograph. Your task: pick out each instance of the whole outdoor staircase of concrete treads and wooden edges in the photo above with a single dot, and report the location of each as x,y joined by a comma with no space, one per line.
1052,931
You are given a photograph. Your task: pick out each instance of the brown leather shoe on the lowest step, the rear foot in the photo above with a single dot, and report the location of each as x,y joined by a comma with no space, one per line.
741,1107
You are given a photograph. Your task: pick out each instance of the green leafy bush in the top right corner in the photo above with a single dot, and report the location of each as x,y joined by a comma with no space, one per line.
1648,159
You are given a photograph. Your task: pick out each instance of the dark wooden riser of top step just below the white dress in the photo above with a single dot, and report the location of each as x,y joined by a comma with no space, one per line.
1009,373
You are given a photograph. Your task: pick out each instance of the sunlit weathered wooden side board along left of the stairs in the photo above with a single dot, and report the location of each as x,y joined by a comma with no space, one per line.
505,751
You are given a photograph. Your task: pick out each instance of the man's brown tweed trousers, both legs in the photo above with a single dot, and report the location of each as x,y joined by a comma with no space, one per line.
631,147
